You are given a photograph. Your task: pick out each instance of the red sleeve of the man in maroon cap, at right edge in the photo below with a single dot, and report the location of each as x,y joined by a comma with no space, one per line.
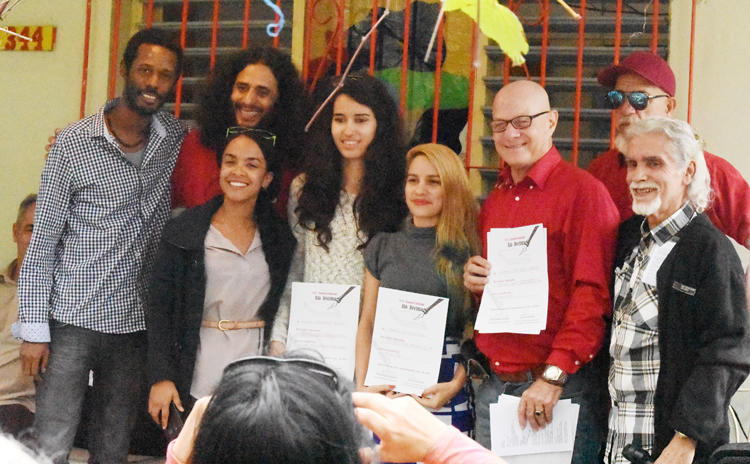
730,210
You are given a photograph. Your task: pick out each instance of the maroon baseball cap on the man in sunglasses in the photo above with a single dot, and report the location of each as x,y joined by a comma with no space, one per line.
642,63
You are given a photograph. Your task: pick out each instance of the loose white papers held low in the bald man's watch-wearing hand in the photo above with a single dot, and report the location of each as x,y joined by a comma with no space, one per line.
508,439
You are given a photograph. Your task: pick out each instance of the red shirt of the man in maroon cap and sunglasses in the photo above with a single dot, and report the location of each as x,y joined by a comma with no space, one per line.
729,211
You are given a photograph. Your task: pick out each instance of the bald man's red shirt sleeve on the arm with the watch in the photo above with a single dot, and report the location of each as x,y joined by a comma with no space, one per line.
590,234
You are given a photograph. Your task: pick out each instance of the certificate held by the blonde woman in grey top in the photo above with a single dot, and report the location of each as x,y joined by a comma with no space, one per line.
407,340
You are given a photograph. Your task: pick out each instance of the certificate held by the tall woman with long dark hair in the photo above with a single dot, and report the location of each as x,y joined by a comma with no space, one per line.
323,317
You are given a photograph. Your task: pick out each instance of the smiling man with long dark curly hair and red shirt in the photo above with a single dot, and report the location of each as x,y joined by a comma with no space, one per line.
256,87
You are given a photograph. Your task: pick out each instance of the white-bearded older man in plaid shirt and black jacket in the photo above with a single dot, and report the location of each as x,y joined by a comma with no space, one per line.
680,345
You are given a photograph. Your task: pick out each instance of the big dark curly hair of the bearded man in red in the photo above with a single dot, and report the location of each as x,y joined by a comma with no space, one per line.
287,119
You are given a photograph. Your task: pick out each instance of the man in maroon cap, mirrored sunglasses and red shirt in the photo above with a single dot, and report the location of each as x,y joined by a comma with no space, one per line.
643,86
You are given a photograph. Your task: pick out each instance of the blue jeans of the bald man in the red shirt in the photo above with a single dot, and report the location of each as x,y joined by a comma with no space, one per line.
587,444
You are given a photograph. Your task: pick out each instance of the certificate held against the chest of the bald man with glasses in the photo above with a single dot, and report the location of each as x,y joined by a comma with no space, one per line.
515,298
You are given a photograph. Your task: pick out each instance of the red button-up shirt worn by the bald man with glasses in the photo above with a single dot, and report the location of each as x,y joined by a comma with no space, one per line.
581,222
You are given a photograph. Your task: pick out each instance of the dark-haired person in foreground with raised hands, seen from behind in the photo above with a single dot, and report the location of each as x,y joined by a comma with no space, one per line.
296,410
